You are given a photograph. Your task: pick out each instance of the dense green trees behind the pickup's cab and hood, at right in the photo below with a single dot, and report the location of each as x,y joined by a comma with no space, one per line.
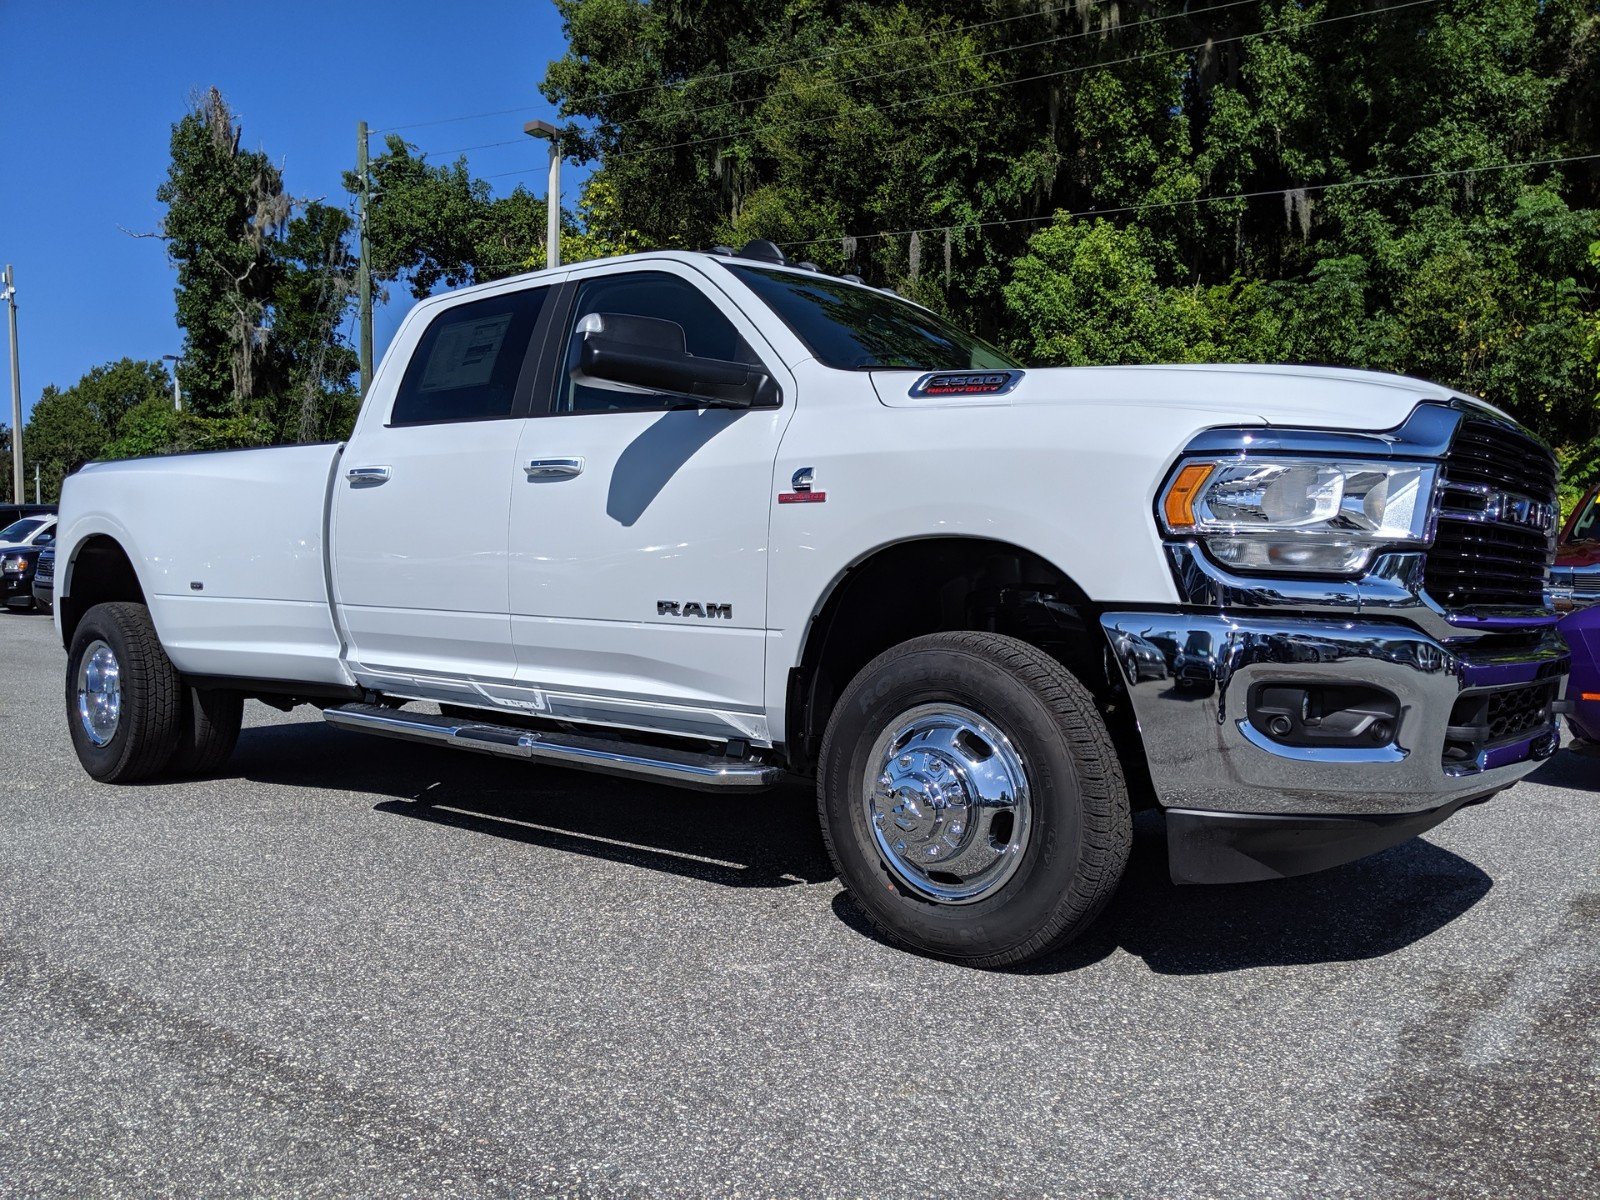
1398,185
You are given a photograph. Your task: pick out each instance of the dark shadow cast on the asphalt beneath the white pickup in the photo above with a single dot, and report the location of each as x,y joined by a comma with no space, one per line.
1361,911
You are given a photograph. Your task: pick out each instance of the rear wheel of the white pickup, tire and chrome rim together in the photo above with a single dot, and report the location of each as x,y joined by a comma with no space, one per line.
124,697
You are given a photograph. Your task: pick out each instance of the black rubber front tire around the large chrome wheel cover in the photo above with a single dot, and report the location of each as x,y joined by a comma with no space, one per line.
1081,823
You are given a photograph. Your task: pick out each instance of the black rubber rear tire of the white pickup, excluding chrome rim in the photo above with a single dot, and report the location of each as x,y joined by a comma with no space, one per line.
151,697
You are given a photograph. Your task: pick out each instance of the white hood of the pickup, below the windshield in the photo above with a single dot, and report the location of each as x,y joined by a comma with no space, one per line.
1324,398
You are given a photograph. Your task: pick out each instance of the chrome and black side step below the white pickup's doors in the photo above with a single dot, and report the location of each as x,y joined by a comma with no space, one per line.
684,769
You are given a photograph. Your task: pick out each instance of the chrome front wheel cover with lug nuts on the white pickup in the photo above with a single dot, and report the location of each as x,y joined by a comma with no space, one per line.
948,804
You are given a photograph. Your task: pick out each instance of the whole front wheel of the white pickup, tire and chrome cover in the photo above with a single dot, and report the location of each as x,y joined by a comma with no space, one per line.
972,801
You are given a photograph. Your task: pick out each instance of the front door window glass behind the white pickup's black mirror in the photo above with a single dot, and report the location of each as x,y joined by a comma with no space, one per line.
658,311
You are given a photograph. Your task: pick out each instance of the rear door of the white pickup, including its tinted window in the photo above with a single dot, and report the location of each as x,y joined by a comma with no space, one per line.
422,500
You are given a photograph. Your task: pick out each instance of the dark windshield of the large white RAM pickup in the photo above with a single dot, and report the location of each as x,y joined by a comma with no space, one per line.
855,329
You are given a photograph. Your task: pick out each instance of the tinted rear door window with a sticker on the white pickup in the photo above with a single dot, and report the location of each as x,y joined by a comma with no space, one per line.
468,364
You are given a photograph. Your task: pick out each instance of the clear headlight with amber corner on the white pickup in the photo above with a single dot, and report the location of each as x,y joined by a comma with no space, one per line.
1308,516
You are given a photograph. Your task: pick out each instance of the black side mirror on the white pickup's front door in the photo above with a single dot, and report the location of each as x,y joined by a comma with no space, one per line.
649,353
